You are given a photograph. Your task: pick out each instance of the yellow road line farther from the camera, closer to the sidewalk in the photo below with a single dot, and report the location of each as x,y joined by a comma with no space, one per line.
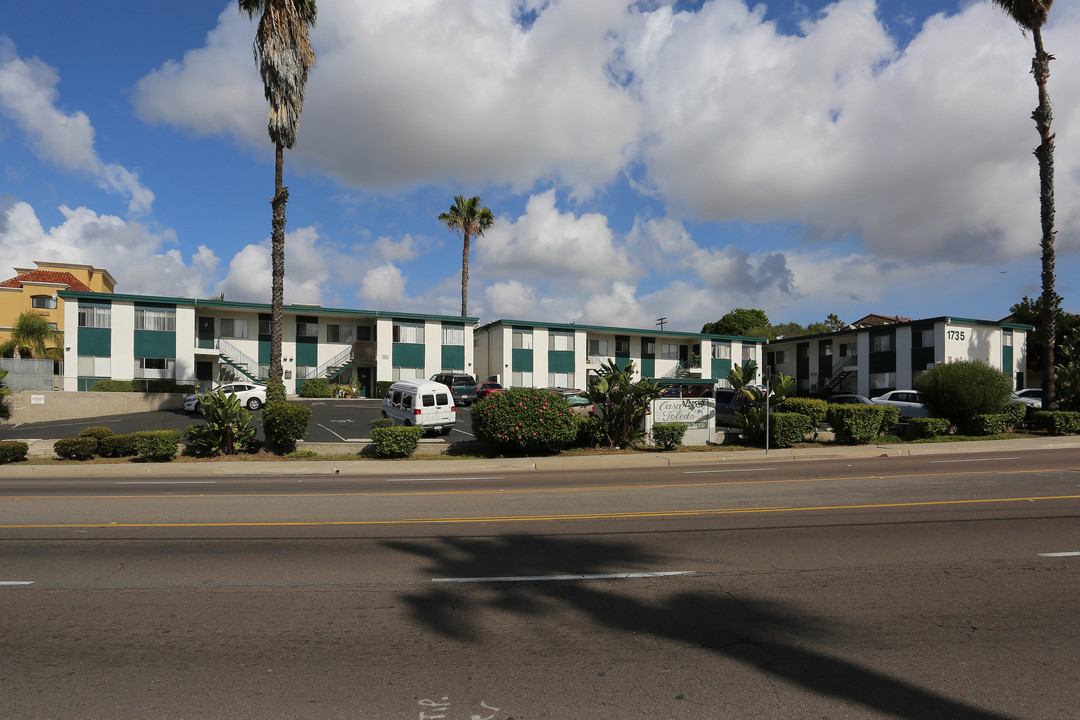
505,492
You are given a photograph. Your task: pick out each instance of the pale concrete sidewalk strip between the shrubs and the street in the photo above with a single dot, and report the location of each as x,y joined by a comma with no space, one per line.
475,467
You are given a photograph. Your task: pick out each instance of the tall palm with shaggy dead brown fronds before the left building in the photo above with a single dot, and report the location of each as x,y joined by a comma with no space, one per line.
283,52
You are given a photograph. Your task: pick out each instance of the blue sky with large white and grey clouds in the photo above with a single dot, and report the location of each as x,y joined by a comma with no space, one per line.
643,159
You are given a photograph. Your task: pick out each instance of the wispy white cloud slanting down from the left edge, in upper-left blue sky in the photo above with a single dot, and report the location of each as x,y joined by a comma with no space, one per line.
29,96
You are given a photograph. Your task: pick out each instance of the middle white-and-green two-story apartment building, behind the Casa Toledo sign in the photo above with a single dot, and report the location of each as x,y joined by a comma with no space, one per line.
529,354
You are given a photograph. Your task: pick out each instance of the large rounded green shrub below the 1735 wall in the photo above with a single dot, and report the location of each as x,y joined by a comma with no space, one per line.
962,390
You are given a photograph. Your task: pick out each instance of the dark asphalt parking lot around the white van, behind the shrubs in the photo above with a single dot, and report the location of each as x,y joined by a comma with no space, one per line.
332,422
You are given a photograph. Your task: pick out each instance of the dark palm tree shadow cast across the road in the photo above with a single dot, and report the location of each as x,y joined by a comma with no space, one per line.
765,635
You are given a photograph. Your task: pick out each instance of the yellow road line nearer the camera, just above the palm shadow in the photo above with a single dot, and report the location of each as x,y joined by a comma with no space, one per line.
535,519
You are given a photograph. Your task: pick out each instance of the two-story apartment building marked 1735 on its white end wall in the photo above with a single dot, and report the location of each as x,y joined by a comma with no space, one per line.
874,360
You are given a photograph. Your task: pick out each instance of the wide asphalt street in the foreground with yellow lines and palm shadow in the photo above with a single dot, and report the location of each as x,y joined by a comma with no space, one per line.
940,587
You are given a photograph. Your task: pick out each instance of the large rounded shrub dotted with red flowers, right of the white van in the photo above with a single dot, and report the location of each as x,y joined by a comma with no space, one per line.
524,422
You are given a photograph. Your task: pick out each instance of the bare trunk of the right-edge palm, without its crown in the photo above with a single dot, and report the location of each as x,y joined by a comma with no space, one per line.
1044,117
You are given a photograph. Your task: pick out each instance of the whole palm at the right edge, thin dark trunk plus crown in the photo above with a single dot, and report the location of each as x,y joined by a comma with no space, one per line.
1032,16
